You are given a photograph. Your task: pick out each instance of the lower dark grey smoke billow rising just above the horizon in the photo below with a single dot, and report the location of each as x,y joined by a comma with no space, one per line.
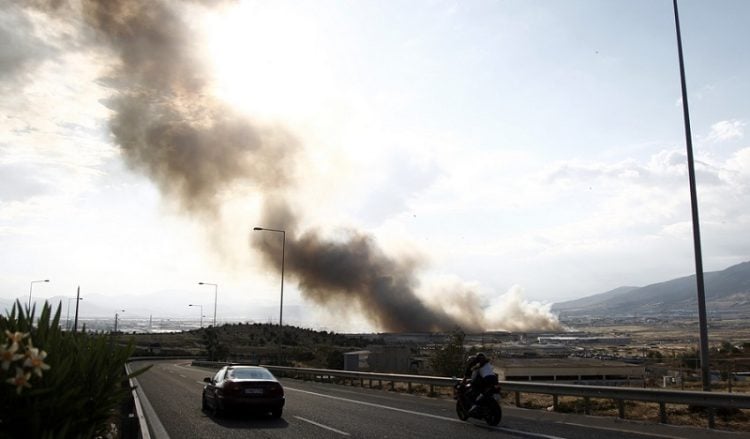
355,274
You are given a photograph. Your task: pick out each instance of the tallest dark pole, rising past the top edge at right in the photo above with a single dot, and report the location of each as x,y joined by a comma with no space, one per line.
702,319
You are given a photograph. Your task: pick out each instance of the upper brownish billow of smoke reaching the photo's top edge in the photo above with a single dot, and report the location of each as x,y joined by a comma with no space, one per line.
167,126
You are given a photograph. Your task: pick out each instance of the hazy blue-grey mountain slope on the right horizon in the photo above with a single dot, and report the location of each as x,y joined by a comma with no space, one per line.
727,295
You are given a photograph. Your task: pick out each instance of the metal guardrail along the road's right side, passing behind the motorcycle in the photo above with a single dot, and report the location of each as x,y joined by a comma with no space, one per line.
709,400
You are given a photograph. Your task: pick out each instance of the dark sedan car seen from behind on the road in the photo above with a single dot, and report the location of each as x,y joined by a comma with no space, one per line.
237,387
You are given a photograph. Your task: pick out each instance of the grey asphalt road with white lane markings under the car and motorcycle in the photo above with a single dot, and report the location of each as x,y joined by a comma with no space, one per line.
172,392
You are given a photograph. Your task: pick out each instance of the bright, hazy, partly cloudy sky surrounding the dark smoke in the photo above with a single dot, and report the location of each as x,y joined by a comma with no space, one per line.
524,152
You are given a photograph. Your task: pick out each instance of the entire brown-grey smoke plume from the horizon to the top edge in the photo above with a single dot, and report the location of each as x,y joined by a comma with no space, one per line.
194,148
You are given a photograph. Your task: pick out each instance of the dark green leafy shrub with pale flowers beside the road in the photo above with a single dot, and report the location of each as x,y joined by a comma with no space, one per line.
56,384
